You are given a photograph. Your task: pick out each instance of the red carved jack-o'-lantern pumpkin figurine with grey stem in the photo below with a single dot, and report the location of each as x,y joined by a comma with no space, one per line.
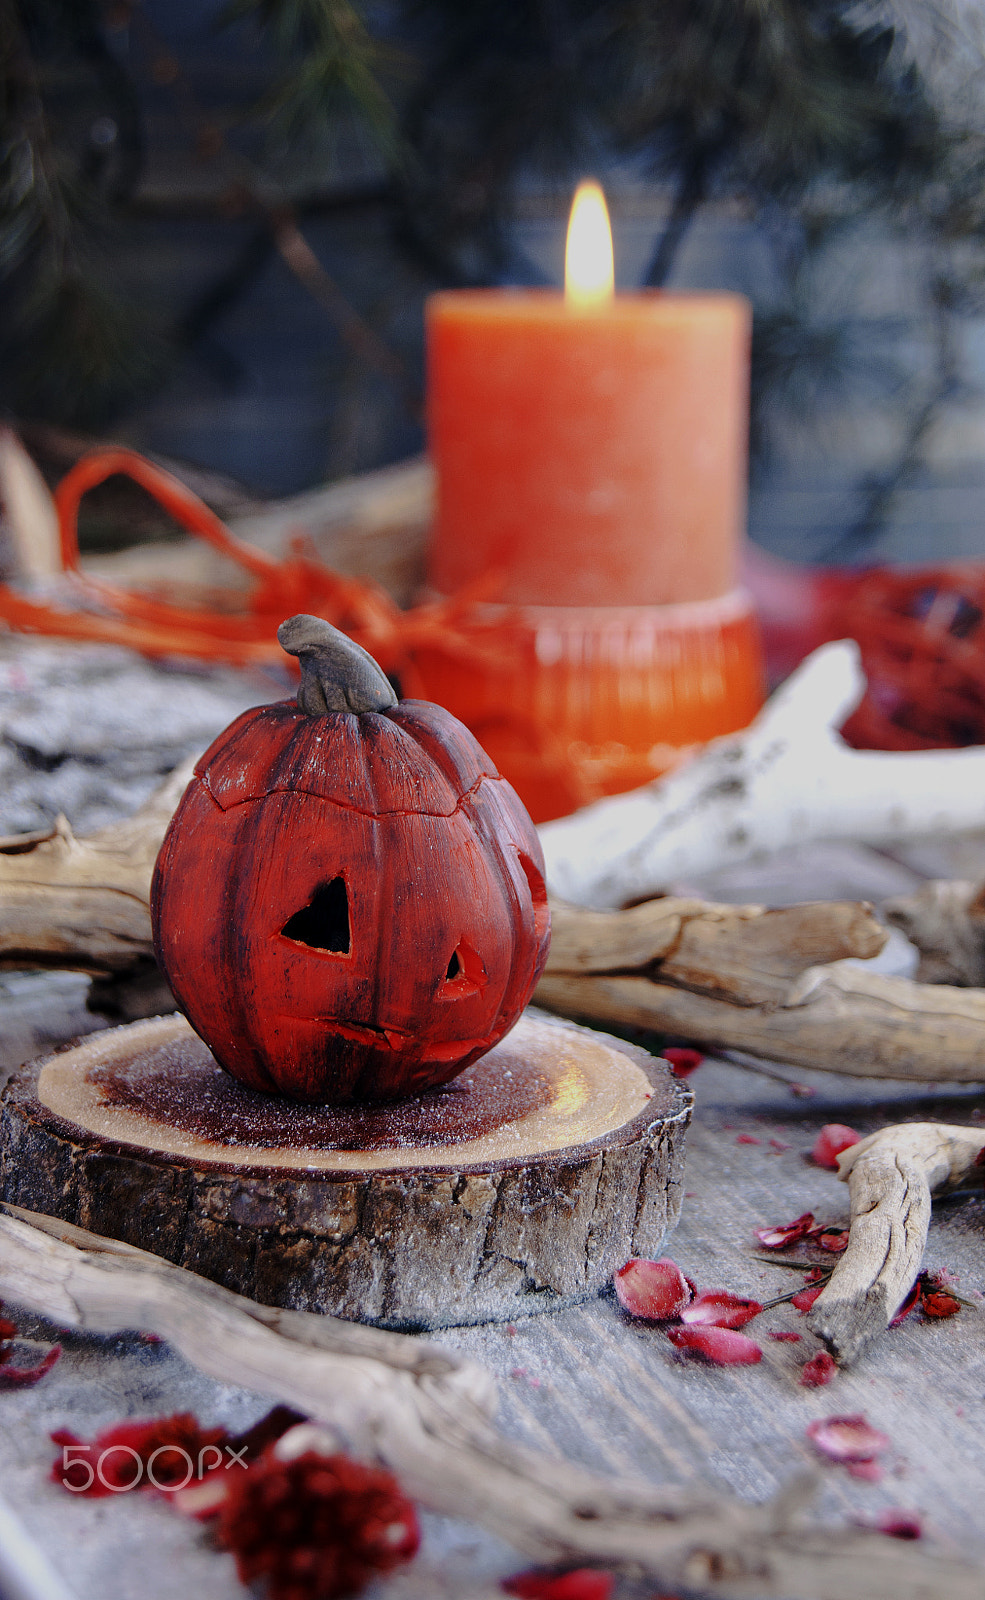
349,903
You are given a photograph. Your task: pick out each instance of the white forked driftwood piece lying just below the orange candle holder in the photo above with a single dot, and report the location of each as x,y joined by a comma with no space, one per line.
788,780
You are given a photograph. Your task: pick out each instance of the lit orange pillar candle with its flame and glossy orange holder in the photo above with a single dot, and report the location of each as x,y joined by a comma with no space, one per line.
591,465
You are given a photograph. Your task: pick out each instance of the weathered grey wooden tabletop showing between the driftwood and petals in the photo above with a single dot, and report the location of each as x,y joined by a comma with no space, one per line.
589,1385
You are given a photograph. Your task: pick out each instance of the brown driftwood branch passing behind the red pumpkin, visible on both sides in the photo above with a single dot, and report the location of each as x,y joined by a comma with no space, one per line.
727,977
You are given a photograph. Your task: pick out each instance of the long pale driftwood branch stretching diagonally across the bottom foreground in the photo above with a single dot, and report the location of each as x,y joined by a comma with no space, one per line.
425,1414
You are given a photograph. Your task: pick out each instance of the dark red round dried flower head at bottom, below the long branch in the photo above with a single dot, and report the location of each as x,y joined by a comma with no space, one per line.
317,1527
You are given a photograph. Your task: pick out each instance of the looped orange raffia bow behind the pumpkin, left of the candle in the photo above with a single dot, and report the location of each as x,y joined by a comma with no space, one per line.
90,609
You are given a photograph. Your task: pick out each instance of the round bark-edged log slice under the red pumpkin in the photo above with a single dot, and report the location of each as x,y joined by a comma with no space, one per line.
517,1188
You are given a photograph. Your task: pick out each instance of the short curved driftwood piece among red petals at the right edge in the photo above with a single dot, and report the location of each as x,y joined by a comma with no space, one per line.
891,1177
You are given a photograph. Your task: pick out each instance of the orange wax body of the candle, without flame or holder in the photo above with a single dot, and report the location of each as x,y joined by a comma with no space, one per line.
589,457
